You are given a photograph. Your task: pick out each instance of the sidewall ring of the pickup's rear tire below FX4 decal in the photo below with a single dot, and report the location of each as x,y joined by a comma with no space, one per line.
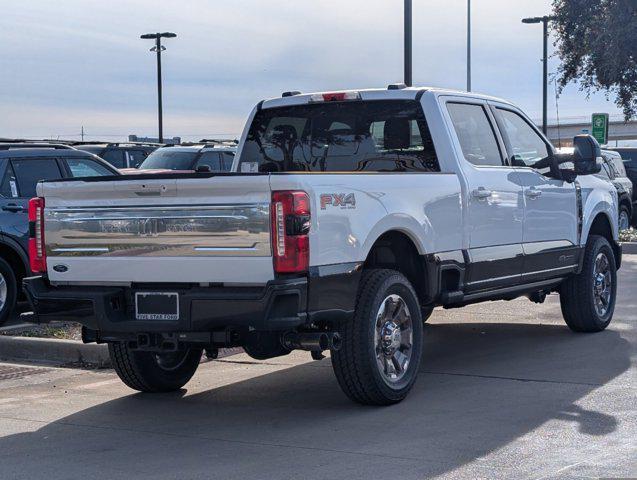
396,284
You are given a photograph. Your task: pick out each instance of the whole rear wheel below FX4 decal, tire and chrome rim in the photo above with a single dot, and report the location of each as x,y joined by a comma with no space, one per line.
382,344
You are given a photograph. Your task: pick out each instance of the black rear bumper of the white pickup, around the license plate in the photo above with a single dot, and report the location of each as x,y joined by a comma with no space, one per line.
279,305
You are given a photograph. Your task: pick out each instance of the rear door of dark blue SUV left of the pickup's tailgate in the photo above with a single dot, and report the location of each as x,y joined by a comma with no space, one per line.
19,180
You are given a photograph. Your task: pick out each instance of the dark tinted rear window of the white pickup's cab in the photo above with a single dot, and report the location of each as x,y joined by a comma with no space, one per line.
381,136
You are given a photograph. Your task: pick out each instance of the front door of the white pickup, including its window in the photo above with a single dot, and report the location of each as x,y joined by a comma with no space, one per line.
550,206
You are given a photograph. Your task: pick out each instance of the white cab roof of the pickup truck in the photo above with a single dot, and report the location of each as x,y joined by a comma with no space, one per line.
390,93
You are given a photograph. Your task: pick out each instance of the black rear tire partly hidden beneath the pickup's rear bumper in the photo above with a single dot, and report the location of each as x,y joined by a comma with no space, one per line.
143,371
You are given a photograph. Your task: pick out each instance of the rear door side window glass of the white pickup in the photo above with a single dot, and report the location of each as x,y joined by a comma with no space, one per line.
475,134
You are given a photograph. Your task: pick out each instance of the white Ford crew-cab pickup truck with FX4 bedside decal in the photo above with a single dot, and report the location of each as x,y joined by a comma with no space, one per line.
347,217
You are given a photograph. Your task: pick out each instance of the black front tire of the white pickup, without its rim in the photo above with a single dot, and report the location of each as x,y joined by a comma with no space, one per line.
577,297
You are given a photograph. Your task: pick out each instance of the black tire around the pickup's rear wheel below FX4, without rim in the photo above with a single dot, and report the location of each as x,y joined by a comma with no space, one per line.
355,364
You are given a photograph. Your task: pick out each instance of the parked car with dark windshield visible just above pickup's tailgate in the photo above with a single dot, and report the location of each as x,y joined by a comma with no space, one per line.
188,158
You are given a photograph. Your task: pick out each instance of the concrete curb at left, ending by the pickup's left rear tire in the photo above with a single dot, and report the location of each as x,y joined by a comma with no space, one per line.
53,351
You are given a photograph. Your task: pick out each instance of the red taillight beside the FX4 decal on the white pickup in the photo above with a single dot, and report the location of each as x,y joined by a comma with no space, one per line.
290,216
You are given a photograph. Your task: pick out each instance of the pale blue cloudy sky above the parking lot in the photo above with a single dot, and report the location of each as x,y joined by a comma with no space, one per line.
73,63
